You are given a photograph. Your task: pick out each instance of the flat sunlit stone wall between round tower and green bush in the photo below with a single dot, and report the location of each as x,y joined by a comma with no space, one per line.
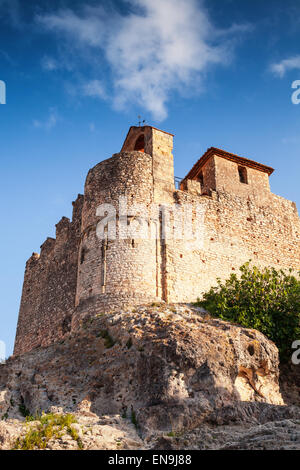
236,230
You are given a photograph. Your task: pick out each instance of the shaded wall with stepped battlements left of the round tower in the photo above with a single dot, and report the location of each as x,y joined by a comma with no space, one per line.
49,289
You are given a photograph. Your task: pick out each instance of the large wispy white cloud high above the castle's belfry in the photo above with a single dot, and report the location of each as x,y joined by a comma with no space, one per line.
159,47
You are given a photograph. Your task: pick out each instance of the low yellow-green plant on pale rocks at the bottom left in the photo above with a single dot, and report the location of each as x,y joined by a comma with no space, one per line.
49,426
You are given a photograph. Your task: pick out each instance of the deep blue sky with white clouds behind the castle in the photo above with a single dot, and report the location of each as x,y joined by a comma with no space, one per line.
78,73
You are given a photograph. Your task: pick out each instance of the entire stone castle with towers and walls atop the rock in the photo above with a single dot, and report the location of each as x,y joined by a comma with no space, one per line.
76,274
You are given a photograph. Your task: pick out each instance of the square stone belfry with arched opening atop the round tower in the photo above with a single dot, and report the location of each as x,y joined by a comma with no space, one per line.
158,144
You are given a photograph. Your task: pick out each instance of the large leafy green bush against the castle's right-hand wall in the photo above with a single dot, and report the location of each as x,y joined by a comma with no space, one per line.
266,300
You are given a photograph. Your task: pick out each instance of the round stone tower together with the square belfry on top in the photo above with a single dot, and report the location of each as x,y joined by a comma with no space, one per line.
120,251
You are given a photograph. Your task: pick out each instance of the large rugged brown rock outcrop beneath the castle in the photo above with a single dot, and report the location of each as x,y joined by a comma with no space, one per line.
171,368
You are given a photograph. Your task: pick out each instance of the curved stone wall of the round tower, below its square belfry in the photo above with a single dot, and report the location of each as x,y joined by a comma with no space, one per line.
113,273
